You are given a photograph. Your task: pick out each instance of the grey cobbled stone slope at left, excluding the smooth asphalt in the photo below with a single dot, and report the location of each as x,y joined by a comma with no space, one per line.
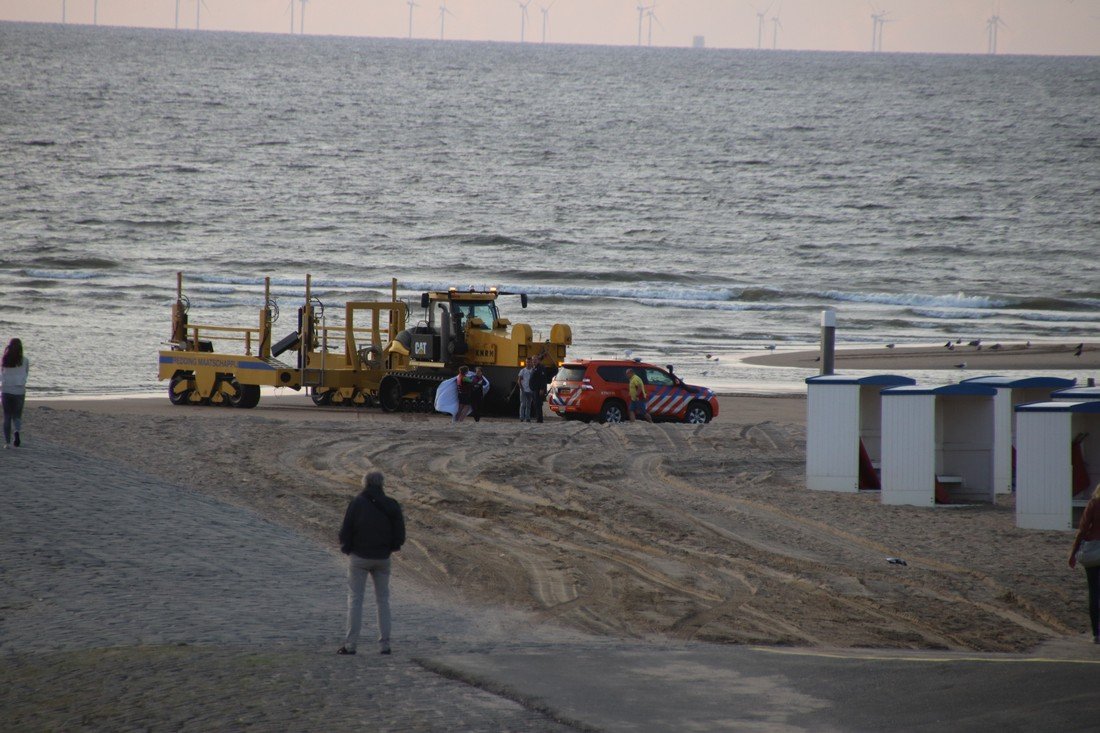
126,604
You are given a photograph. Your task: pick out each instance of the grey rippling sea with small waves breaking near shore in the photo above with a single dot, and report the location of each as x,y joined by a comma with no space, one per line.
683,206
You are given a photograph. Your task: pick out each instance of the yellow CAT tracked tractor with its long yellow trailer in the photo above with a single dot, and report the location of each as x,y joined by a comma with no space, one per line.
381,362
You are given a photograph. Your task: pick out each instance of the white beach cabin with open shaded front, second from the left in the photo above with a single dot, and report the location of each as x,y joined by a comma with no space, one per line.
938,445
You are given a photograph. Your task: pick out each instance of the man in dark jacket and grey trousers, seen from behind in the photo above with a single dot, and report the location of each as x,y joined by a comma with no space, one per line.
373,529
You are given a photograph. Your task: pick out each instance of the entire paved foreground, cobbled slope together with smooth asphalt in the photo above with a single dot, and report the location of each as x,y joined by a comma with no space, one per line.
126,604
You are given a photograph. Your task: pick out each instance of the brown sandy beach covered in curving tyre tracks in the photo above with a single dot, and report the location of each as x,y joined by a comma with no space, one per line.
696,533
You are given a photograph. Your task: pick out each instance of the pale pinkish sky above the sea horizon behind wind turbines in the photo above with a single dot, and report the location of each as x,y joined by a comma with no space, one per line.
1026,27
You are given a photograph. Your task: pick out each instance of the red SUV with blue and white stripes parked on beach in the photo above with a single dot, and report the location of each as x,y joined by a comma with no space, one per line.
588,389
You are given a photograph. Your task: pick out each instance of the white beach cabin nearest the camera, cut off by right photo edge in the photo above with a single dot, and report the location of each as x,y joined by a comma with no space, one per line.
1058,462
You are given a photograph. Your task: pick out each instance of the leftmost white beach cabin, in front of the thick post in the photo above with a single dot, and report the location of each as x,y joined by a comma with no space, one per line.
844,431
